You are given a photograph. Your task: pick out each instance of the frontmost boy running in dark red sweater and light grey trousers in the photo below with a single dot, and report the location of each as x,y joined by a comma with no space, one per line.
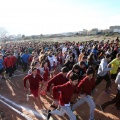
64,97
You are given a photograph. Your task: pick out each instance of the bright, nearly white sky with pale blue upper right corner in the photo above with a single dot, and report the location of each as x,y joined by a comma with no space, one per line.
35,17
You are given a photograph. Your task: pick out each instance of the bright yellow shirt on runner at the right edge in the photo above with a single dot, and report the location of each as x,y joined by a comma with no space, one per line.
114,64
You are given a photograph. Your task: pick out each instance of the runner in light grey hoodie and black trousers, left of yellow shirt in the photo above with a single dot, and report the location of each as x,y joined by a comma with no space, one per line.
102,73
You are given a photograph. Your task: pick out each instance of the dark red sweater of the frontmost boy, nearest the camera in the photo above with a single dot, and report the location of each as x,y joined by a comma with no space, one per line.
66,92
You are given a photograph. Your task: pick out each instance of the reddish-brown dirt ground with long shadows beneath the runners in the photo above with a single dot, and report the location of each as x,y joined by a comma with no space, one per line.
13,90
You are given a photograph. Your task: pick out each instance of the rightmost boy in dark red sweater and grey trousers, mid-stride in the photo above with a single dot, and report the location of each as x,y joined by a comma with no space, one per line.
85,88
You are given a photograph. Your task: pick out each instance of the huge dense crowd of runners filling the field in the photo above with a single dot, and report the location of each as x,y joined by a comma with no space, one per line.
64,70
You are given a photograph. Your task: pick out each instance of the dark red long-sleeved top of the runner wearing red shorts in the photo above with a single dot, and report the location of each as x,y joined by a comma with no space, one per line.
33,81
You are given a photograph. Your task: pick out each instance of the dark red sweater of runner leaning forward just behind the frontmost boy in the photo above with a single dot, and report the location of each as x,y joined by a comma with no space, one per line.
59,79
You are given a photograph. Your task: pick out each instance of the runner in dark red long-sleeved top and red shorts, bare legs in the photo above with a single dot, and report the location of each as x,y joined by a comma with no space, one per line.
34,81
